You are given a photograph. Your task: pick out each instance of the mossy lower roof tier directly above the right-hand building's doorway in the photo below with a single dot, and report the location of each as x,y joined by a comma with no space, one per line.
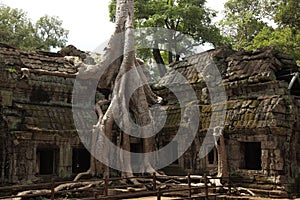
269,111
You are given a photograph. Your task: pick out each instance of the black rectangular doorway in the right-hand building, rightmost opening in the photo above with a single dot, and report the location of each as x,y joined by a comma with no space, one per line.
252,155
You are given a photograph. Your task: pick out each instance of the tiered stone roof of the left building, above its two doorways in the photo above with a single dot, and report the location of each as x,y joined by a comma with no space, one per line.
40,102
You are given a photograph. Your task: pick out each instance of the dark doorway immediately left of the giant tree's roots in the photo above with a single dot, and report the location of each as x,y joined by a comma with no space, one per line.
80,160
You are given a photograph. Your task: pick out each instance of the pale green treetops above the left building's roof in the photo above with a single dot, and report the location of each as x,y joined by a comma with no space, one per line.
17,30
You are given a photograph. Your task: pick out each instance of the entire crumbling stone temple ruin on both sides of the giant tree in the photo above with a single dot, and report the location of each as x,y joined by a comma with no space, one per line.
261,128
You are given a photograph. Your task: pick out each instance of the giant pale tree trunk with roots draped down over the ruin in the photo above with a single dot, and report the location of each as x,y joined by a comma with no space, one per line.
120,84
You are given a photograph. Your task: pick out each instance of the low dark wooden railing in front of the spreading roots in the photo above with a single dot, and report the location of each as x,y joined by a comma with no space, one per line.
149,187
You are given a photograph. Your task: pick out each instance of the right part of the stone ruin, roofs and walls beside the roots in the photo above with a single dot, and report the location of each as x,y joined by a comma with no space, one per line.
262,112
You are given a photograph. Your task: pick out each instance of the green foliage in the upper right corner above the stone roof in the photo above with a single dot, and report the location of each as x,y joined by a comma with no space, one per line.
260,23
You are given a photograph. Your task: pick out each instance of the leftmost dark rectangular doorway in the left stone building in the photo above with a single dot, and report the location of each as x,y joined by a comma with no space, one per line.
46,161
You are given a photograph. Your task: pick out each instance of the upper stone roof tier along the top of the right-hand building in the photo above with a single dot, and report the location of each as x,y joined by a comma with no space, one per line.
258,66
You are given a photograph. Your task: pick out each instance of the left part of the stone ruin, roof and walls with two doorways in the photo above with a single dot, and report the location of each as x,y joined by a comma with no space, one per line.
38,137
